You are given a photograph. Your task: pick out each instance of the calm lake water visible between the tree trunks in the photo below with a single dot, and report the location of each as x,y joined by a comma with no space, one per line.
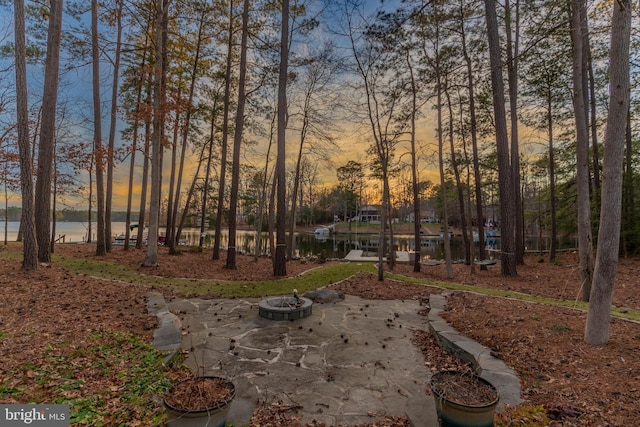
306,244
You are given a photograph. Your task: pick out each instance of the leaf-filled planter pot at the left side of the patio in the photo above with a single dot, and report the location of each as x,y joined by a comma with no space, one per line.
199,401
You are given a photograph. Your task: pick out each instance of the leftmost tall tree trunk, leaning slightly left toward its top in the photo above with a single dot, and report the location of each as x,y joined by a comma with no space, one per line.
27,220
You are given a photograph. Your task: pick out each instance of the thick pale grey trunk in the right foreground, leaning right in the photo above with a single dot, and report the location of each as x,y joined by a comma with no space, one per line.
599,316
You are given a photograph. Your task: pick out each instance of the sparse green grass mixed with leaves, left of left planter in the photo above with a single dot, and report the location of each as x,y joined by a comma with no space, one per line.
111,378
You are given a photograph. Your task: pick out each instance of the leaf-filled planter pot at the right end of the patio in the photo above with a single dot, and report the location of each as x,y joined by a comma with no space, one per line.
463,399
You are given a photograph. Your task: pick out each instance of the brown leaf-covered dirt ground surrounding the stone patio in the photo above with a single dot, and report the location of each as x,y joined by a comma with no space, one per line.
564,381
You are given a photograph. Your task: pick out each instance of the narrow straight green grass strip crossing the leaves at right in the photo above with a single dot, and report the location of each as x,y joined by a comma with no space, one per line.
620,312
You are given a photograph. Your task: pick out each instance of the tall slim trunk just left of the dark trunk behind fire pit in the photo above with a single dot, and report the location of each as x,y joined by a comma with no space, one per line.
237,141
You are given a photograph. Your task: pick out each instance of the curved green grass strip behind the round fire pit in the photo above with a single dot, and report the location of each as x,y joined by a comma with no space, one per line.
312,279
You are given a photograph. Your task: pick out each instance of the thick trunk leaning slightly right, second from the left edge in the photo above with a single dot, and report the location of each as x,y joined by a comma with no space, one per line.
47,132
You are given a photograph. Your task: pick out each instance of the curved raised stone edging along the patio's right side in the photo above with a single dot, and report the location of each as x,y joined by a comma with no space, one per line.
491,368
